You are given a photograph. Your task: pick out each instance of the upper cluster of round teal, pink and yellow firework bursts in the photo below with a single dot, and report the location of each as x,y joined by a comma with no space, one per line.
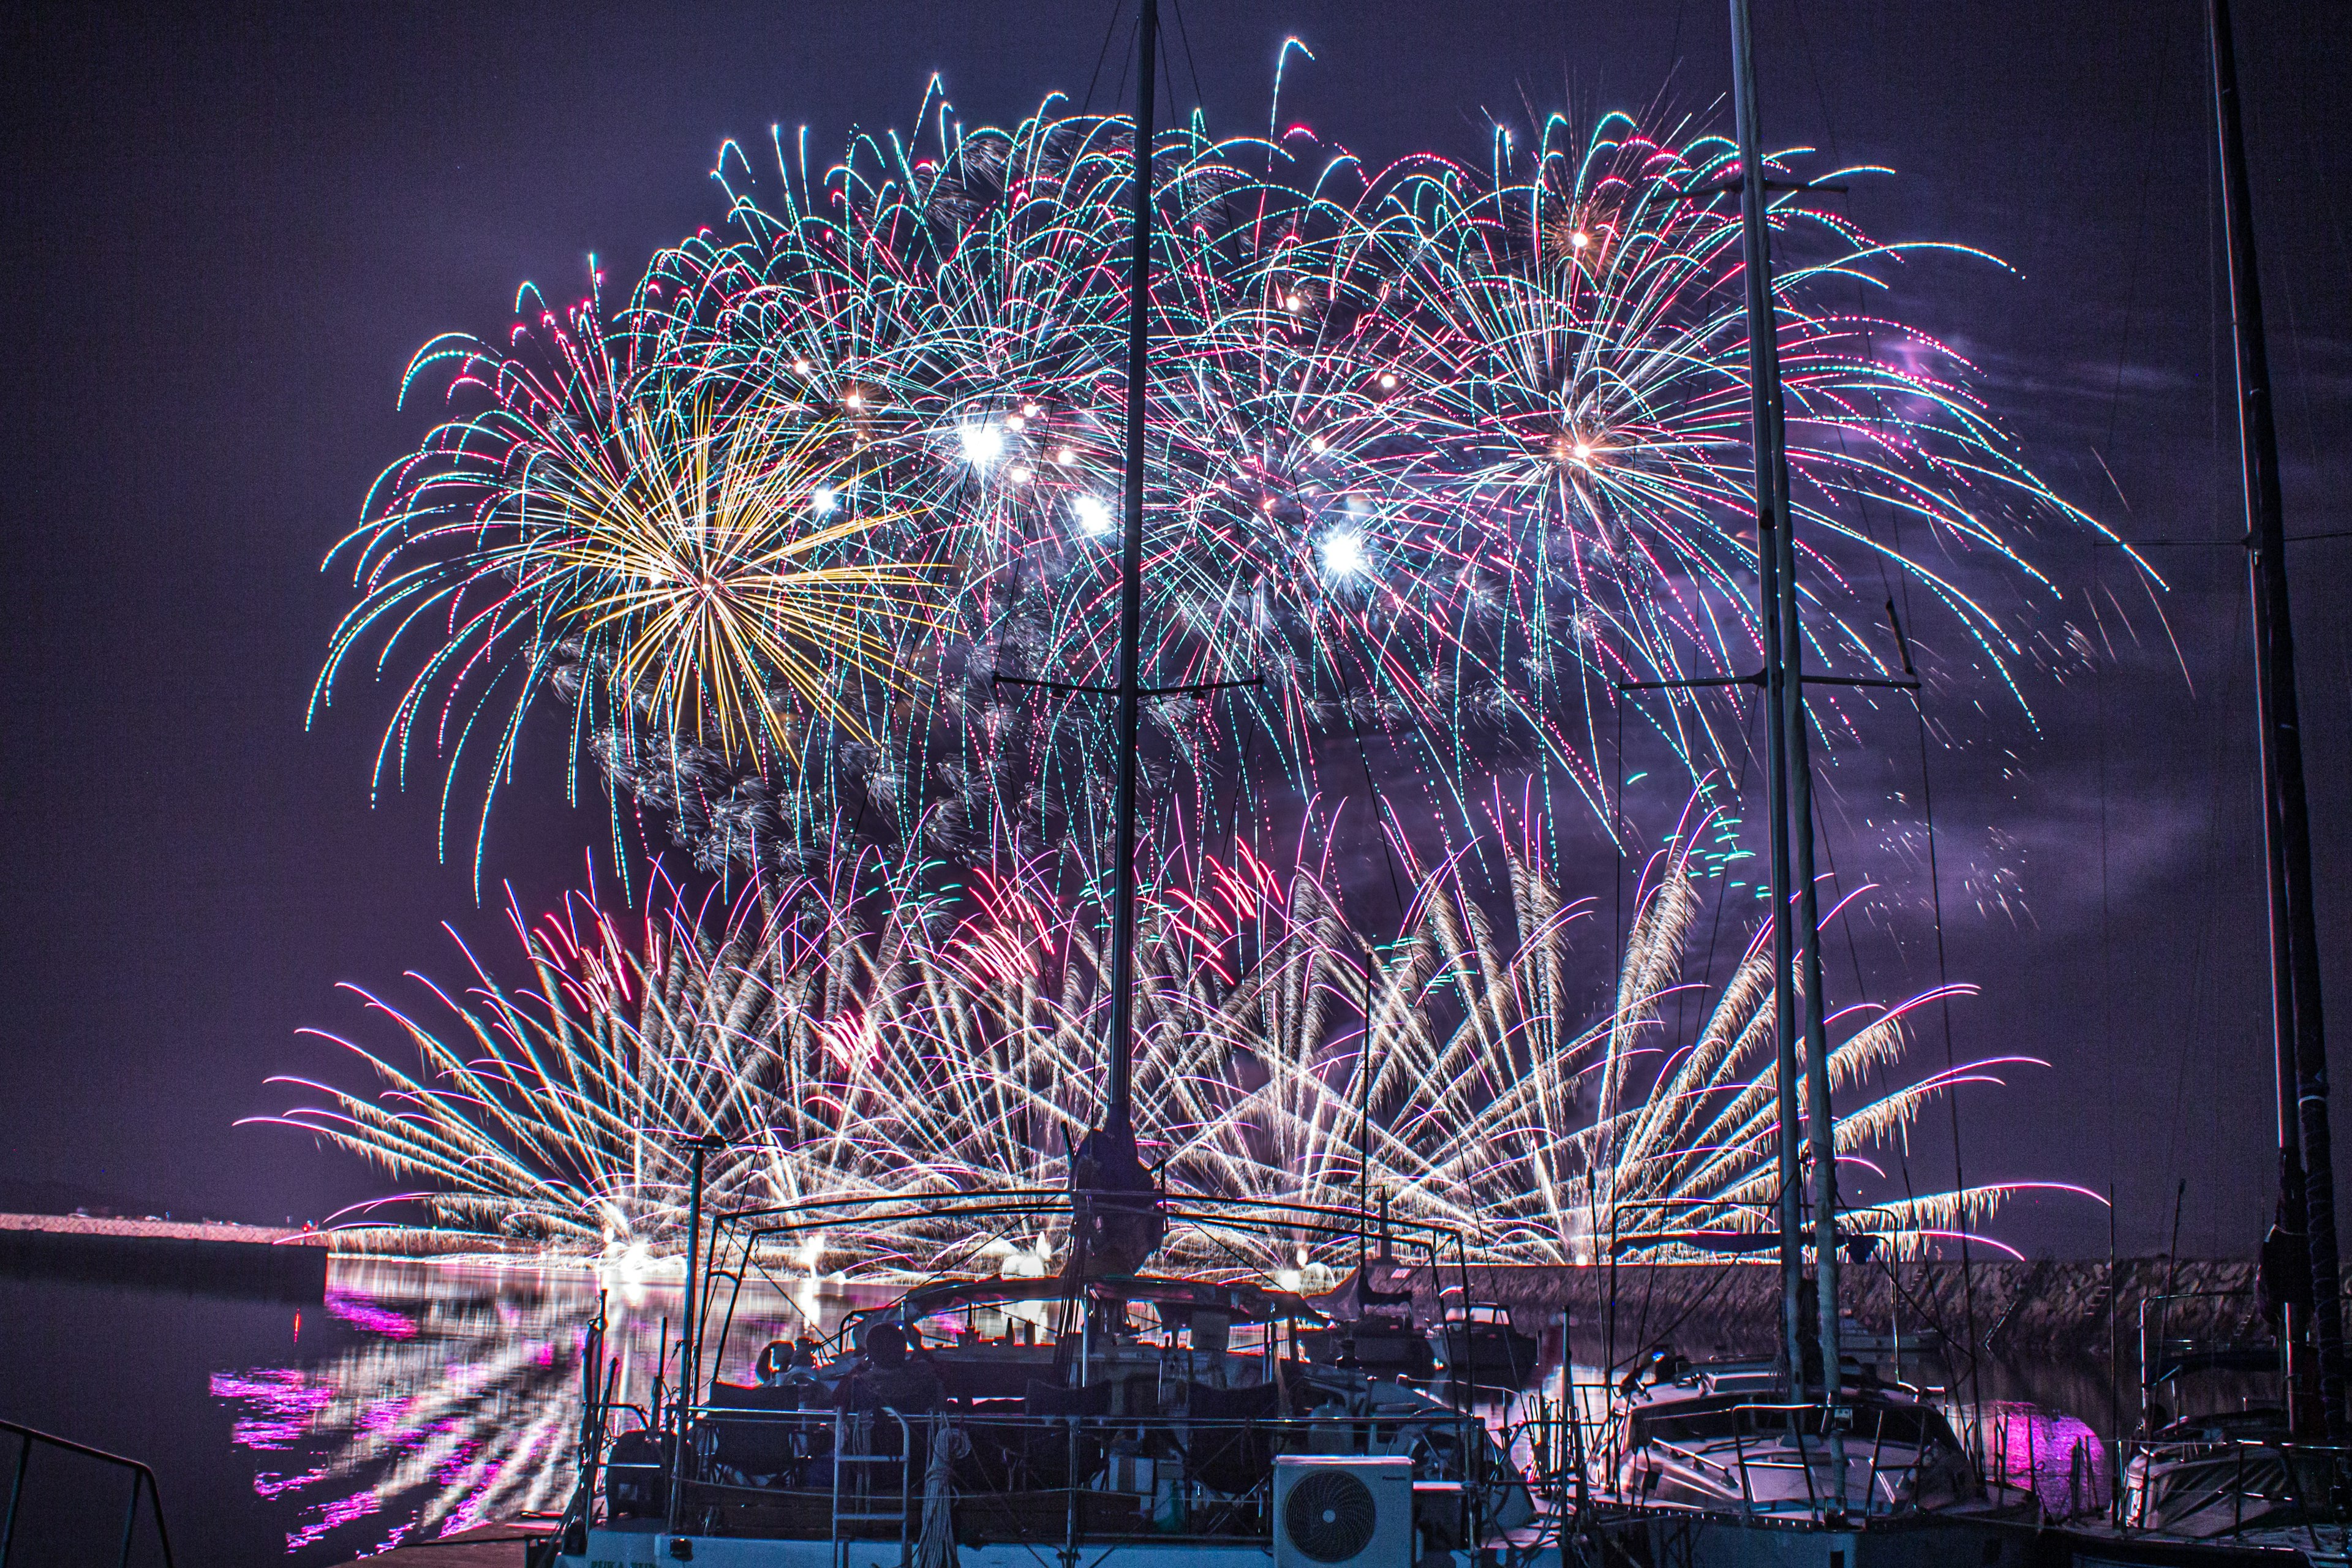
1436,457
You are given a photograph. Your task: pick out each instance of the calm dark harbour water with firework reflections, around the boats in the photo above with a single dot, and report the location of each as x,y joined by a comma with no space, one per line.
432,1398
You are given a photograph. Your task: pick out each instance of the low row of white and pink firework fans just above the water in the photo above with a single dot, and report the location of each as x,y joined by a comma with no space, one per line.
862,1038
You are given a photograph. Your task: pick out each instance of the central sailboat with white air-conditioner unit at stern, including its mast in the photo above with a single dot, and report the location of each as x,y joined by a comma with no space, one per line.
1107,1414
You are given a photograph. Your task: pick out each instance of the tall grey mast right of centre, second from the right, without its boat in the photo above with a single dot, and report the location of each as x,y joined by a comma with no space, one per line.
1791,775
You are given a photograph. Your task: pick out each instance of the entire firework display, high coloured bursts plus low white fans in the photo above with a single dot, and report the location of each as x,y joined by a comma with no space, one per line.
810,544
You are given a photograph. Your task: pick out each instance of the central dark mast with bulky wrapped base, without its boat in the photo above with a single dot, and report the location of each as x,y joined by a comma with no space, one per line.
1114,1195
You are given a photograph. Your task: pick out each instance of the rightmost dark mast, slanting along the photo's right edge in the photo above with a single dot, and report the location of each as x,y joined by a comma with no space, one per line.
2299,1038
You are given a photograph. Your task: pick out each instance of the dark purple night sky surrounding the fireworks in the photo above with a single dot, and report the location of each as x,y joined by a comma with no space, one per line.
227,234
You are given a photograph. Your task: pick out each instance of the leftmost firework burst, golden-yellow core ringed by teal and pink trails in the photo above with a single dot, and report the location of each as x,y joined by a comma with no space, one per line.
674,556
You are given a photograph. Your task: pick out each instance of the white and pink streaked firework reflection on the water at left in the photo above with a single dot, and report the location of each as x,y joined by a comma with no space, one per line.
455,1395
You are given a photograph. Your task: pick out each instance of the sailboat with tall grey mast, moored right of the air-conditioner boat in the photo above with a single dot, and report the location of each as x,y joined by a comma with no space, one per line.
1720,1461
